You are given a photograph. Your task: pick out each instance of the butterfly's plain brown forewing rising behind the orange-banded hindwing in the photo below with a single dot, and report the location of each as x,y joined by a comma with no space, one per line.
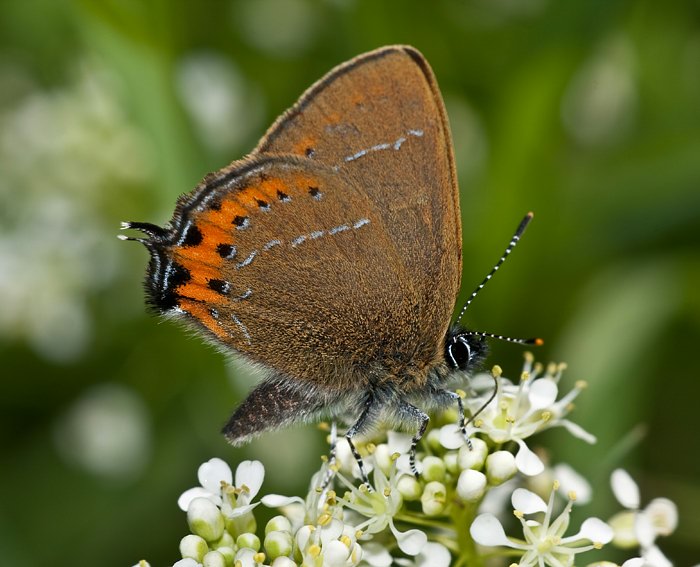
379,120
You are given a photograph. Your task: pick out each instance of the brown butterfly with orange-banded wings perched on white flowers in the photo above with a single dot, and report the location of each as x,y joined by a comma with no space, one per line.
331,257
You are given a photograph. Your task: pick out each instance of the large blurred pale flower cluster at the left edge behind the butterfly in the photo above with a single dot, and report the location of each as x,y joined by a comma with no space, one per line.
63,153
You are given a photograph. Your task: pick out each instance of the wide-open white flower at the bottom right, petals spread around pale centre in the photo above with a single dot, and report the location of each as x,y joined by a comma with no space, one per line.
545,543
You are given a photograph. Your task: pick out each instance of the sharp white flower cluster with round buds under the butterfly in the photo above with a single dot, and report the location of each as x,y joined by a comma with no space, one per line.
454,513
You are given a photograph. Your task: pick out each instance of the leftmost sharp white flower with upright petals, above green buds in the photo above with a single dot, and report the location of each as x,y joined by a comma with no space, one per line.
216,480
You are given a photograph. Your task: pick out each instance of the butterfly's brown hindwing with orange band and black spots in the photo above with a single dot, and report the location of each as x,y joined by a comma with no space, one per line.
289,262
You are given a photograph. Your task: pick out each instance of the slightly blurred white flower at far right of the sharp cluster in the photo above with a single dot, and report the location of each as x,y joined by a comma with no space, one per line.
641,527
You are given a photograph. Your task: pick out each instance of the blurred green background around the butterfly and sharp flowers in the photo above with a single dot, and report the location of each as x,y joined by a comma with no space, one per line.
586,112
